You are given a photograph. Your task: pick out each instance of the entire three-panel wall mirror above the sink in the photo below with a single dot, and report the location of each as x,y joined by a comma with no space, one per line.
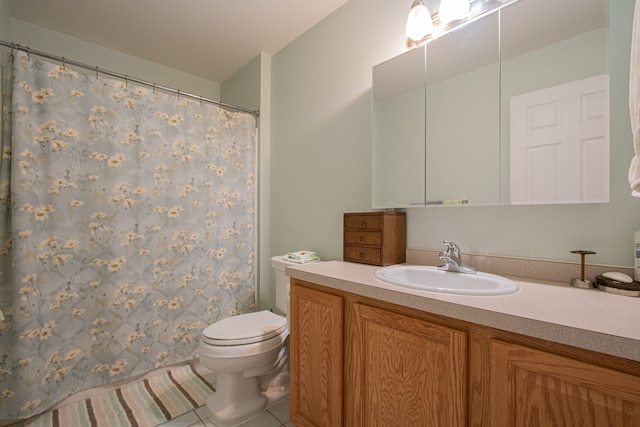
487,88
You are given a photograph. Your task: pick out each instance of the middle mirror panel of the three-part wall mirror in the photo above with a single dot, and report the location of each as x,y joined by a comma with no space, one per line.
463,116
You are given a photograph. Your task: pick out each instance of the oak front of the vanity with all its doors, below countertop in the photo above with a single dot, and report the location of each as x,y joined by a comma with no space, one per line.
357,361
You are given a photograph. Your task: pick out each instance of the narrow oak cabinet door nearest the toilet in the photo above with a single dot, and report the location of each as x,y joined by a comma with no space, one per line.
316,357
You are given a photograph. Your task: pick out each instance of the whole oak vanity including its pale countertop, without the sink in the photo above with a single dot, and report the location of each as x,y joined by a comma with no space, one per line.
365,353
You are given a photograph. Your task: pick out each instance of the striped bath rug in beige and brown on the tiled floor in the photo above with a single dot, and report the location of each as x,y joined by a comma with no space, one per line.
144,403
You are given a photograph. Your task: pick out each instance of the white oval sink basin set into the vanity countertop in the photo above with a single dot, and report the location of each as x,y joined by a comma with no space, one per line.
431,279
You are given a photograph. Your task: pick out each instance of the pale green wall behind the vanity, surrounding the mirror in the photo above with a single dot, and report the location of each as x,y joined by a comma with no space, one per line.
321,152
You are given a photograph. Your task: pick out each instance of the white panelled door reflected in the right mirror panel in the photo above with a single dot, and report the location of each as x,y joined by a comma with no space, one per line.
560,144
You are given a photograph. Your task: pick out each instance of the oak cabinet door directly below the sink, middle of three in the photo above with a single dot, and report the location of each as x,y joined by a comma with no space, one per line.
406,372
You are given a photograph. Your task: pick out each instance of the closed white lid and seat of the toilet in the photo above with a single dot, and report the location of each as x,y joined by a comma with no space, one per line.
245,329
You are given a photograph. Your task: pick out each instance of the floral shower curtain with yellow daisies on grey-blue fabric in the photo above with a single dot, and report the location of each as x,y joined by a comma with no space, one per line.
127,226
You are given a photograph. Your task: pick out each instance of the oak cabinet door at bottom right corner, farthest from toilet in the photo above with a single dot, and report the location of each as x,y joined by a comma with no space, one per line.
534,388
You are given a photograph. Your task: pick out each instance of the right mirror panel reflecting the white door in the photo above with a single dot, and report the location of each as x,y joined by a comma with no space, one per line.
555,101
